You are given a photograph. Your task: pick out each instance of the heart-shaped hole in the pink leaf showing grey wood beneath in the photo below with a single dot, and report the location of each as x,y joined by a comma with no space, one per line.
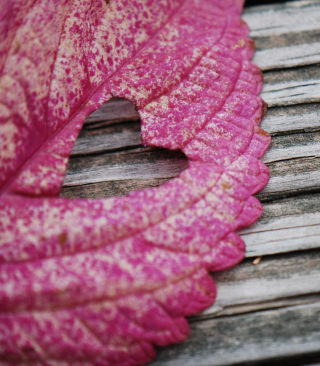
108,158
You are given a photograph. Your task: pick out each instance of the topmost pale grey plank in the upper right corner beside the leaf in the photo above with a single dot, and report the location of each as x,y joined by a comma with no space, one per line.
273,20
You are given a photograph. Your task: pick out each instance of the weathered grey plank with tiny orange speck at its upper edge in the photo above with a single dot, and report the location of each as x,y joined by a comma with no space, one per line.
273,280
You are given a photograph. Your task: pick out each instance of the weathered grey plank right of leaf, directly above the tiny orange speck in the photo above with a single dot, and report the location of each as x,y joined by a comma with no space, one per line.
286,225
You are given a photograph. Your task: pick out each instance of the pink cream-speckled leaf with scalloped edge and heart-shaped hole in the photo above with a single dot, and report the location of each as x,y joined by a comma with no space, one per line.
100,282
